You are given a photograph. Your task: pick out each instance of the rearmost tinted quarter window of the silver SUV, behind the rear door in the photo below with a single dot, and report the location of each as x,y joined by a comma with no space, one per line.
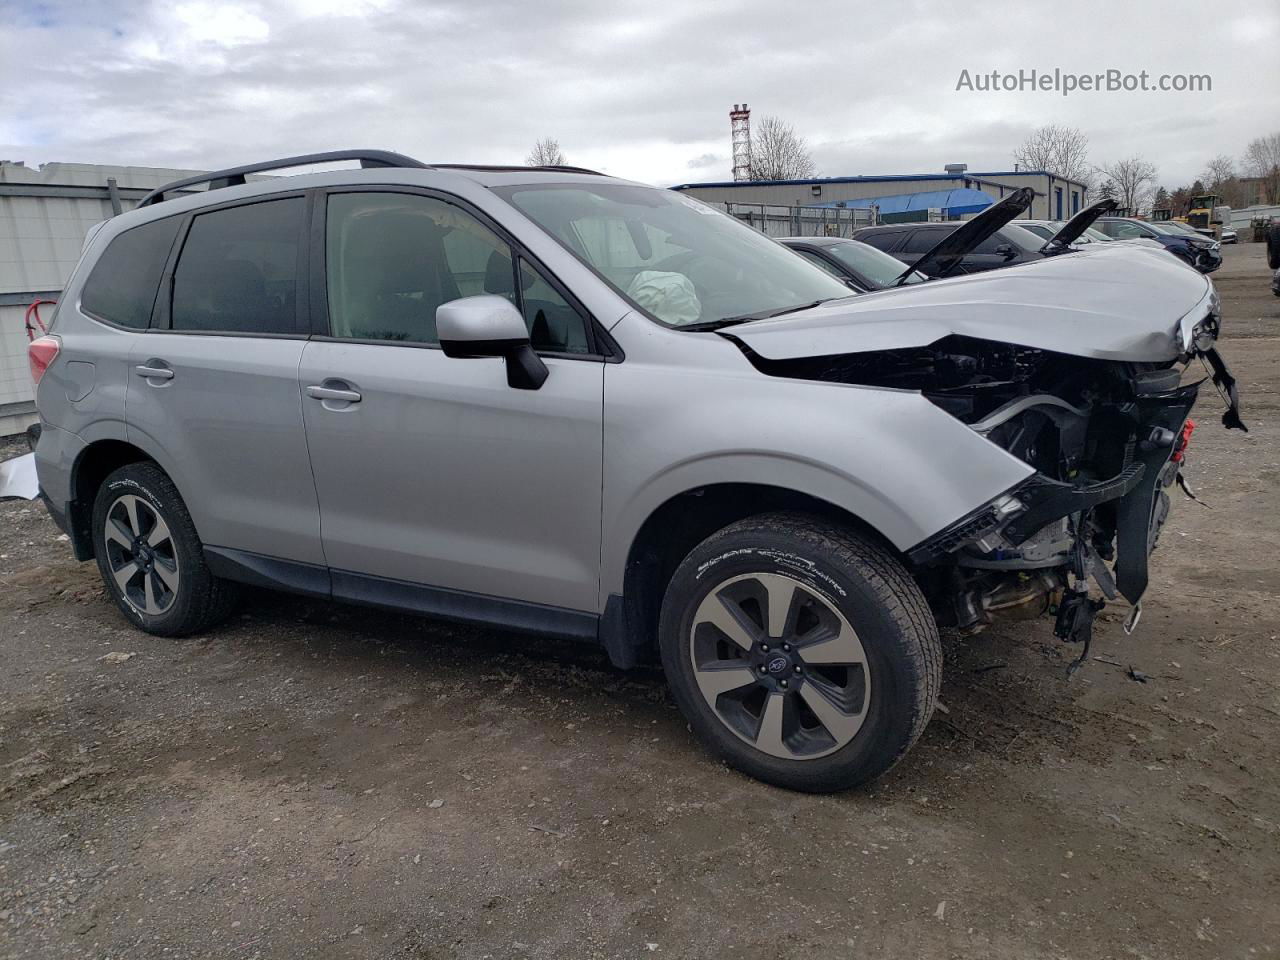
122,287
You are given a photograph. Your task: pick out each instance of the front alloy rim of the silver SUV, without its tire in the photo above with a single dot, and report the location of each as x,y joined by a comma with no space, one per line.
780,666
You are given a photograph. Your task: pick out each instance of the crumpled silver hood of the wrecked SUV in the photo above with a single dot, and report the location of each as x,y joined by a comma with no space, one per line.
1107,301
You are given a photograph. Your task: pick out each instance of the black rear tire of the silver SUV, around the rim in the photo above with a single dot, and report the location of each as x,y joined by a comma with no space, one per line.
200,600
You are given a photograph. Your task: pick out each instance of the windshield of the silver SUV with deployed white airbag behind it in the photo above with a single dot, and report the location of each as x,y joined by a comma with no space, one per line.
679,260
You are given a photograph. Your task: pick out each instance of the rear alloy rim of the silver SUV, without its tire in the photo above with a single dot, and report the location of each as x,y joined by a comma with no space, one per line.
141,555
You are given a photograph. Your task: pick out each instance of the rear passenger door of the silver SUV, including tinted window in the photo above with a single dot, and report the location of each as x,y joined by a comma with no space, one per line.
214,383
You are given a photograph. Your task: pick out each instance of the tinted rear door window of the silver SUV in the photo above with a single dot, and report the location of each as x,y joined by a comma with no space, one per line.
239,269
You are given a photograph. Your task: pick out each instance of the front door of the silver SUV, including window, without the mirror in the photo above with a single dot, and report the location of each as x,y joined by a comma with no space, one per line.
432,470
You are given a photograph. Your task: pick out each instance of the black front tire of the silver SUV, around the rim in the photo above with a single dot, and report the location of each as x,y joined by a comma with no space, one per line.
875,595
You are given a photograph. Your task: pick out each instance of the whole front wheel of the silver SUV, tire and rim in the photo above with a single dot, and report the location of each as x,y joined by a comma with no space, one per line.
802,653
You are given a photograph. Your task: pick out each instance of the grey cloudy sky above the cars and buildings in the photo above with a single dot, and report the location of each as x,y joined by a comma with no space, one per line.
639,92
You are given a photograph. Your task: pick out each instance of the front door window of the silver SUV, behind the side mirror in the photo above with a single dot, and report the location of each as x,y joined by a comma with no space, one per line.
392,259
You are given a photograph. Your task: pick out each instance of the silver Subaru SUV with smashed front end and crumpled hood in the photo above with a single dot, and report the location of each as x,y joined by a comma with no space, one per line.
557,403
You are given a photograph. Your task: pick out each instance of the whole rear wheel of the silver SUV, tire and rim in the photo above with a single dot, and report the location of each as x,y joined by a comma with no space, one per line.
150,557
